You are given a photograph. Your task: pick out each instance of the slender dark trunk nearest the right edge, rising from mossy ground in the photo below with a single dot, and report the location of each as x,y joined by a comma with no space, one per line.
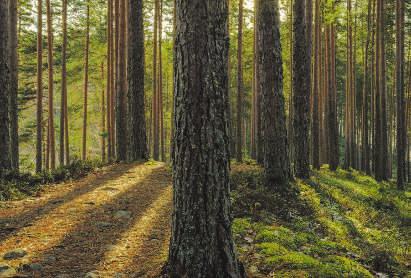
401,116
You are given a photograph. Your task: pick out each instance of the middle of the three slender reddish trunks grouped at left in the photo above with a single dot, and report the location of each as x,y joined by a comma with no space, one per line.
51,131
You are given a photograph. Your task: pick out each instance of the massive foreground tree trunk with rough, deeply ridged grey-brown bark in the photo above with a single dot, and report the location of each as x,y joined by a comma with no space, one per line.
201,242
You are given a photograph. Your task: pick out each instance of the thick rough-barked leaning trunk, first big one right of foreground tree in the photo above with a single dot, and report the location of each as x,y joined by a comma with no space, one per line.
276,161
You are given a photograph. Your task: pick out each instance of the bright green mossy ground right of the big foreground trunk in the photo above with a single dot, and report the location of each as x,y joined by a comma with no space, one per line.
347,225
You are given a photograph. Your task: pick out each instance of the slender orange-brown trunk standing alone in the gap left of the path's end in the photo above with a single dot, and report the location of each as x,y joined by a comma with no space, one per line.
86,69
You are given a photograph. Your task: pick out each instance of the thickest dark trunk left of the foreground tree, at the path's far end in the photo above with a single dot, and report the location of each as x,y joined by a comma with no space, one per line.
136,116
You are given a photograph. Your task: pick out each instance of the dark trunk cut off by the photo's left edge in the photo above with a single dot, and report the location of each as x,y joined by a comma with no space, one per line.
5,162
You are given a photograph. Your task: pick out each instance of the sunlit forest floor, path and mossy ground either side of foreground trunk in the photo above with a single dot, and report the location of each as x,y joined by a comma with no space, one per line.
116,221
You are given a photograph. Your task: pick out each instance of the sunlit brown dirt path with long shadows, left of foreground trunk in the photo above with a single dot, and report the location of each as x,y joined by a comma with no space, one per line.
114,223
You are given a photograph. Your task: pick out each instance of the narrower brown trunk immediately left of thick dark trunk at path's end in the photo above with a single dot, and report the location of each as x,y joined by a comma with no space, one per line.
121,105
